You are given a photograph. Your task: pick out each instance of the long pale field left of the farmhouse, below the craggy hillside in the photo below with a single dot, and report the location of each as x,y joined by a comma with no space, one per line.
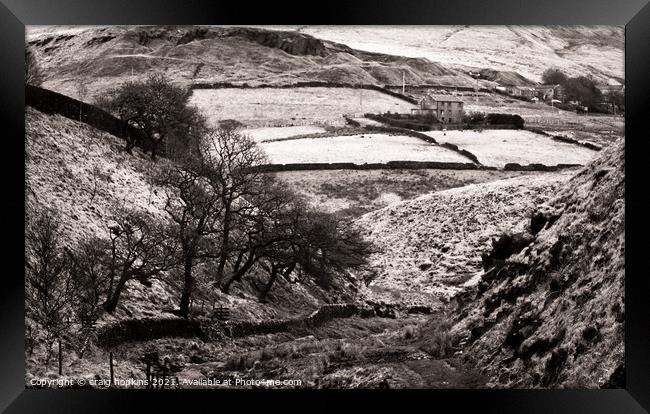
297,106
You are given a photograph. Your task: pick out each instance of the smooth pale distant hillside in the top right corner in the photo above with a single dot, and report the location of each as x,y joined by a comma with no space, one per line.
526,50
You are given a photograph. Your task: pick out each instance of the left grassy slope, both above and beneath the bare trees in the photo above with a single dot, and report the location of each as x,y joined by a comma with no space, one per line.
85,175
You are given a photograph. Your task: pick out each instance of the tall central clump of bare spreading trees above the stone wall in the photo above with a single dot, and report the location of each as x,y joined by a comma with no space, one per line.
238,221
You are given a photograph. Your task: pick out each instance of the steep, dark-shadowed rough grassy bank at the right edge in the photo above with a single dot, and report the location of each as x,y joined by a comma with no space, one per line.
553,316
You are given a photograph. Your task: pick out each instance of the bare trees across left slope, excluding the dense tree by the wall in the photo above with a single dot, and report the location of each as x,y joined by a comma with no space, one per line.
224,216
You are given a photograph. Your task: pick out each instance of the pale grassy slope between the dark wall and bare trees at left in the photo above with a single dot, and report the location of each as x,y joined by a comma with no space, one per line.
84,174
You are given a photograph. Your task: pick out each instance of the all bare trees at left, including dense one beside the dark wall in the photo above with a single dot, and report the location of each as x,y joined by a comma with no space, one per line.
224,220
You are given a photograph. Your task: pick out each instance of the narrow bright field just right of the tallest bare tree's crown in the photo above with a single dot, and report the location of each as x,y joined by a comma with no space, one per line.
358,149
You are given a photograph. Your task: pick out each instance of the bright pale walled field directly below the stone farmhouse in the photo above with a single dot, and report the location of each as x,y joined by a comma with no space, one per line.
499,147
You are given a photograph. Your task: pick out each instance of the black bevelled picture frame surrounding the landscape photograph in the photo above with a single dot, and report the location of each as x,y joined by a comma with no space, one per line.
634,14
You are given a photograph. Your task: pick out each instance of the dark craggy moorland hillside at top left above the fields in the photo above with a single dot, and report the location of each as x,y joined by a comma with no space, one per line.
101,56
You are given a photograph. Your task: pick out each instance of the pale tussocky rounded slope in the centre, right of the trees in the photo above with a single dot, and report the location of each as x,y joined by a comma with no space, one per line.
432,244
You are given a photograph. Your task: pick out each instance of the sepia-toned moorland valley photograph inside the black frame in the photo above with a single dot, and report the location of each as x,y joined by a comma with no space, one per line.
325,207
